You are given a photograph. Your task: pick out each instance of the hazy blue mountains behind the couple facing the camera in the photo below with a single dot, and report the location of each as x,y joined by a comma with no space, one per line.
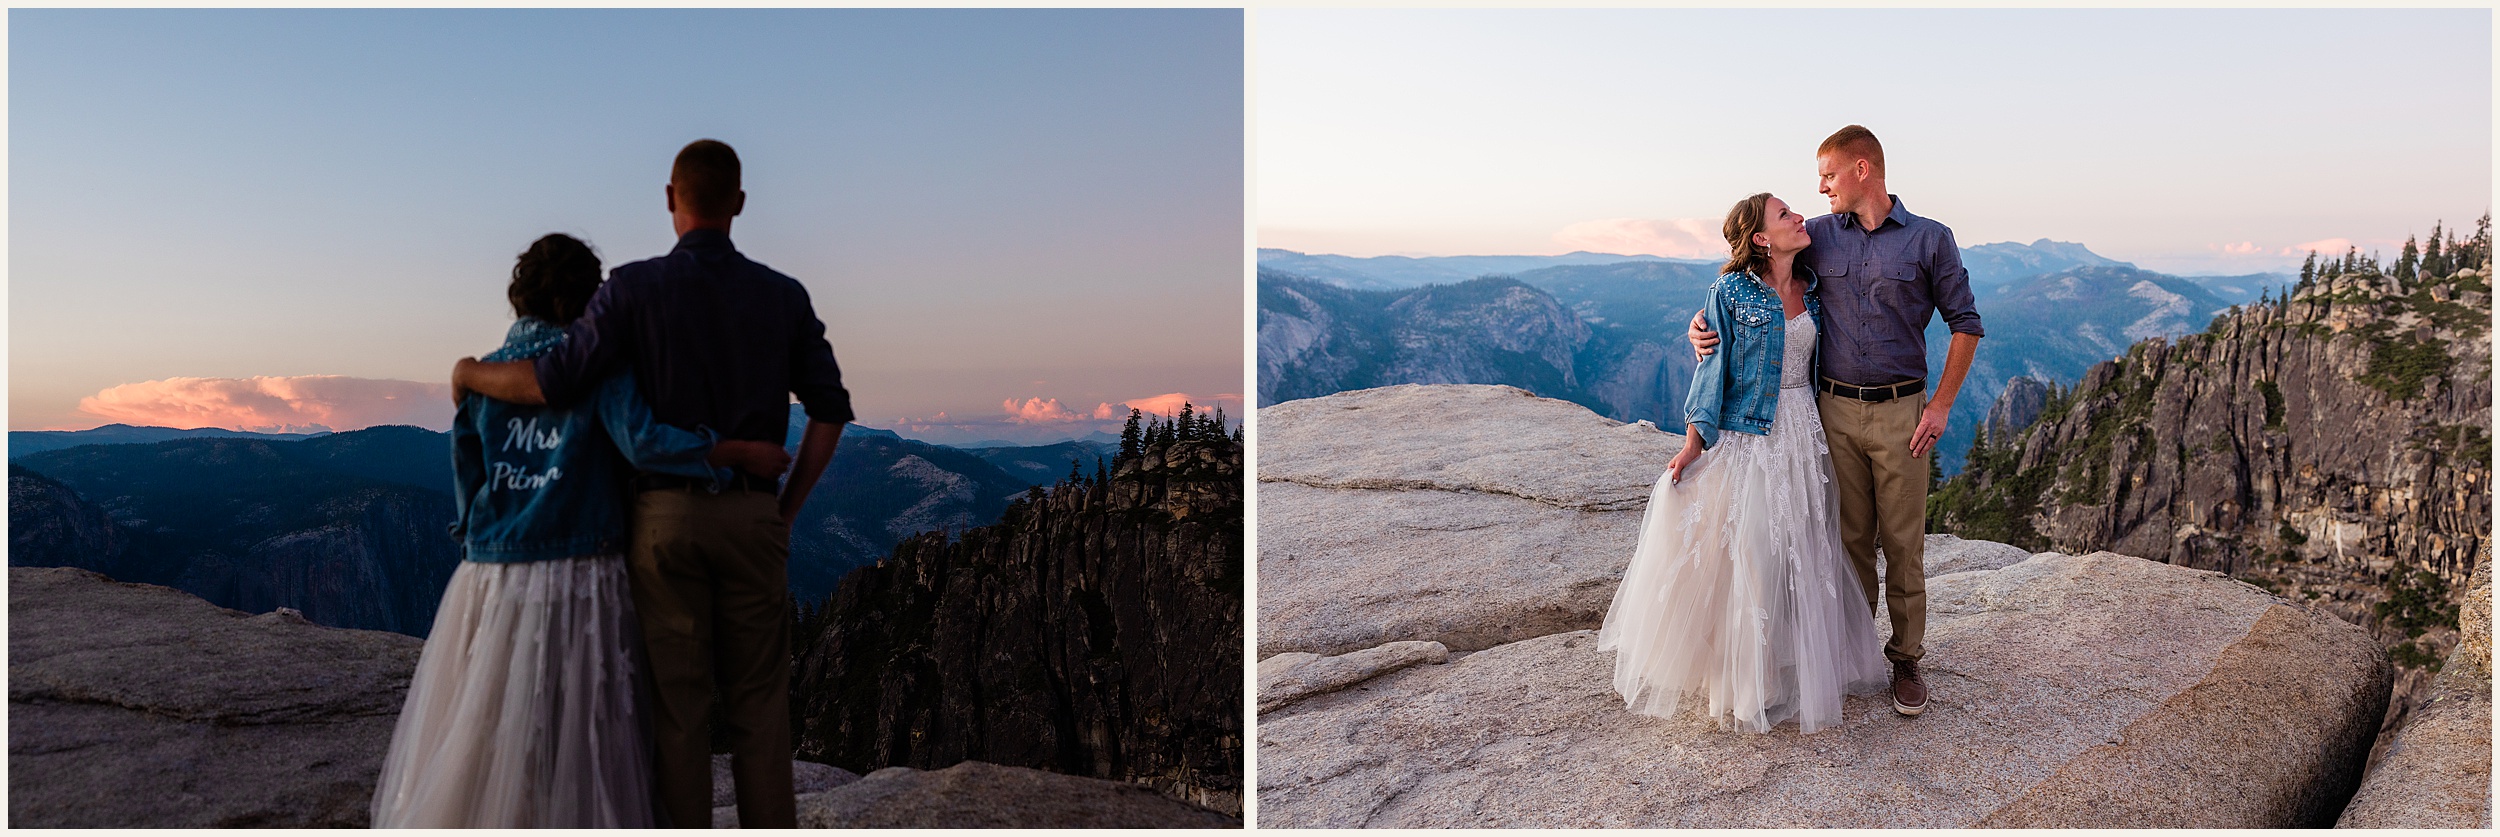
1609,334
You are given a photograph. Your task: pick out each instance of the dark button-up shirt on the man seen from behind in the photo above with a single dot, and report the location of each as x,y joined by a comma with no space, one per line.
716,341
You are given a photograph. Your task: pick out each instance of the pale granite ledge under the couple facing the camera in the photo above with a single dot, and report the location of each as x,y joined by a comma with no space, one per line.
2094,691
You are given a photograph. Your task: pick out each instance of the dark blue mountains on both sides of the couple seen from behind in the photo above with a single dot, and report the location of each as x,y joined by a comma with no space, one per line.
351,528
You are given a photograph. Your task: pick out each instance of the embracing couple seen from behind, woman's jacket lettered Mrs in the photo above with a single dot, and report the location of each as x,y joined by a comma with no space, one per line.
626,538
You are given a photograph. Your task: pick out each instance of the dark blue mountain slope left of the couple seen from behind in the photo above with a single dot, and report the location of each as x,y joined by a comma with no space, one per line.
246,523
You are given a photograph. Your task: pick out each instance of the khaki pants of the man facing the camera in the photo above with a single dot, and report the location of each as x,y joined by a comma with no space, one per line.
1884,501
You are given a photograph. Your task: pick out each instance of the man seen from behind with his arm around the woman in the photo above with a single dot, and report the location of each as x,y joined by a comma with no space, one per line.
719,344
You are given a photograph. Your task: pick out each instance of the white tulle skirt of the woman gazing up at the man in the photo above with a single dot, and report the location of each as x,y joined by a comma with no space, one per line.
1739,591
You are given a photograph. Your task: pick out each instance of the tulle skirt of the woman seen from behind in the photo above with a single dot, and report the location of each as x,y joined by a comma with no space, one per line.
524,706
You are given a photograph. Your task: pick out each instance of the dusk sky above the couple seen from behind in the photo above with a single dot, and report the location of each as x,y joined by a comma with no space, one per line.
1016,224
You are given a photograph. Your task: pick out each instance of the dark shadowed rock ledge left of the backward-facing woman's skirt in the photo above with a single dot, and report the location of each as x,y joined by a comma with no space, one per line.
139,706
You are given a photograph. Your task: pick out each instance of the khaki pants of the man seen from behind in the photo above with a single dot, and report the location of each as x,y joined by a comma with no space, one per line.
714,591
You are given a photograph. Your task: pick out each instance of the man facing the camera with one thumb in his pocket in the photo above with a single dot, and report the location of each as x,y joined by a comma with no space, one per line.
1881,276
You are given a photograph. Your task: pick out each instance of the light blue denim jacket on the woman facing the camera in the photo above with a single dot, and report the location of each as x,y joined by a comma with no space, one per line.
1739,386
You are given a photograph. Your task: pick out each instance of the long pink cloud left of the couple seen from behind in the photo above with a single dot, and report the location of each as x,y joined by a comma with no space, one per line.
274,404
